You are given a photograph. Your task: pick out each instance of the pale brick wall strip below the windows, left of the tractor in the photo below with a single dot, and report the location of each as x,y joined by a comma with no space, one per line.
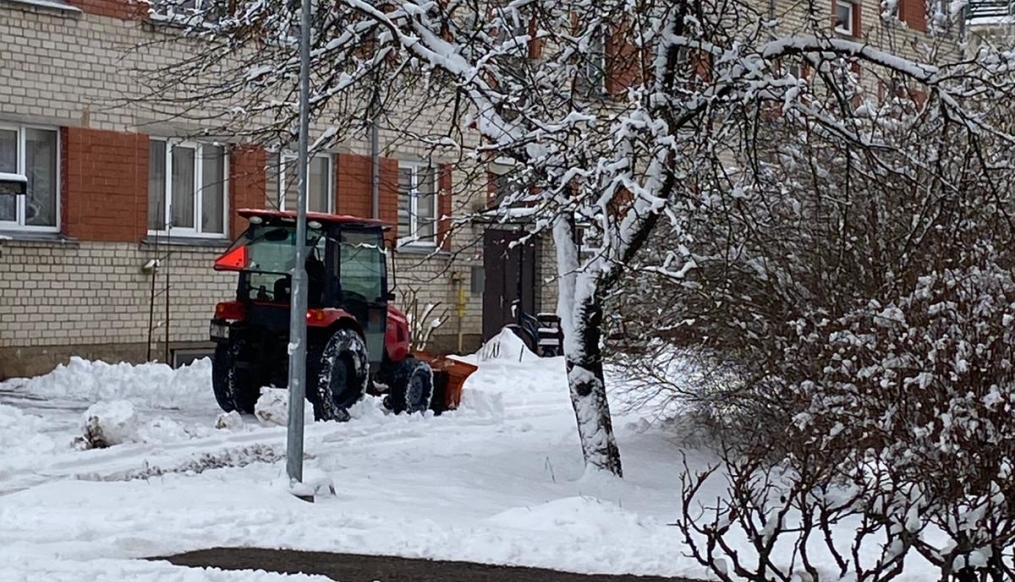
59,295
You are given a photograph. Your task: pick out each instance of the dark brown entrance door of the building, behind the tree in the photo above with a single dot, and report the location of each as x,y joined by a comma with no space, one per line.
511,277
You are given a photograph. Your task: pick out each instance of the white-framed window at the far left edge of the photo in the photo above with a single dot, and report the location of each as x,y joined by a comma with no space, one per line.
30,165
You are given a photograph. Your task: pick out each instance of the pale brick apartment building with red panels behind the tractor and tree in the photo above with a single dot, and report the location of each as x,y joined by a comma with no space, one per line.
110,220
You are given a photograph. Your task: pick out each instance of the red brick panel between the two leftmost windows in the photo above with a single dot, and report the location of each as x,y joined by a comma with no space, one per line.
105,192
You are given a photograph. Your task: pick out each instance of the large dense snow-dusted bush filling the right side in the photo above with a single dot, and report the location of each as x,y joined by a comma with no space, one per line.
864,307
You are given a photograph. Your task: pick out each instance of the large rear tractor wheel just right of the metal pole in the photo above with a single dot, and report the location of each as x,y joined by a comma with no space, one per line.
345,370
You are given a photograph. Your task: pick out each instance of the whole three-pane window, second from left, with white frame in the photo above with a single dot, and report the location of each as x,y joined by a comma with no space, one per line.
187,189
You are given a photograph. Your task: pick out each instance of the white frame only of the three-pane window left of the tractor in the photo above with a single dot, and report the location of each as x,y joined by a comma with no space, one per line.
196,232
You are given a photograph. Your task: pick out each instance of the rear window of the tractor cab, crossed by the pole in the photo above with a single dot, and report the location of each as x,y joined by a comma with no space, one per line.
273,254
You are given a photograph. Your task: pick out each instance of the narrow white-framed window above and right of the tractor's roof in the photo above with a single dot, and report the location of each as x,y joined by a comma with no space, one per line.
418,204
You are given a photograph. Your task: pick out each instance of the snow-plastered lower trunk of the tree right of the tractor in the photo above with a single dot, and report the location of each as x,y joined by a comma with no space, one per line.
581,309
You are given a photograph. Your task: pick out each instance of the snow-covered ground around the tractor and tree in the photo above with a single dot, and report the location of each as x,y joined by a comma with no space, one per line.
500,481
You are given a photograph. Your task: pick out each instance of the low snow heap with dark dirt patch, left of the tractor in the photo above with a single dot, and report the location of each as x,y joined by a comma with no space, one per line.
108,424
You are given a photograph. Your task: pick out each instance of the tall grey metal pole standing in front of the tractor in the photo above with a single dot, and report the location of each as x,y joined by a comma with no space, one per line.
298,309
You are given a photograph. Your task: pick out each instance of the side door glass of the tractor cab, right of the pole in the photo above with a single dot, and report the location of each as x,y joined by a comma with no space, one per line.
362,266
